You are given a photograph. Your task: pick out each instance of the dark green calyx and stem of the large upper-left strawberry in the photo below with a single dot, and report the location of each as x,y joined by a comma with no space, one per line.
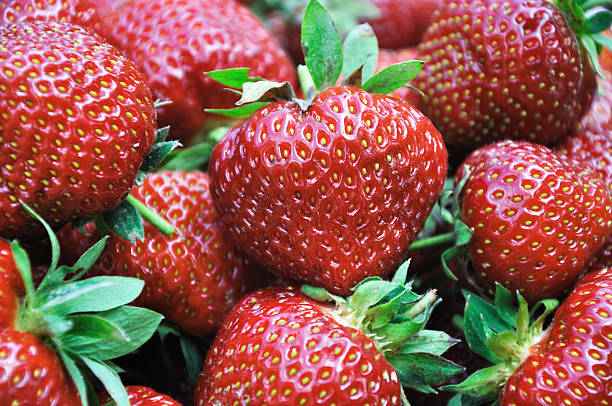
125,220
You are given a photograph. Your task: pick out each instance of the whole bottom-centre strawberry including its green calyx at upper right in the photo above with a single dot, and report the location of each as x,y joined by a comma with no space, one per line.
282,347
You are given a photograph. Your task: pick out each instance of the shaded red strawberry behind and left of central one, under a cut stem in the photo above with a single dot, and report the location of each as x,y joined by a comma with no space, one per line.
193,278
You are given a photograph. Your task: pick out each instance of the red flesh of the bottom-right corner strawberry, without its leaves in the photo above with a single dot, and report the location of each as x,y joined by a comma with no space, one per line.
573,362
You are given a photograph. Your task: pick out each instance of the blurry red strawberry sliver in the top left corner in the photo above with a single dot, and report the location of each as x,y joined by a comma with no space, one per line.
79,12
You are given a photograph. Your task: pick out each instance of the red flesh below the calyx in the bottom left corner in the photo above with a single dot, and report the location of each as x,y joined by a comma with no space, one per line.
31,374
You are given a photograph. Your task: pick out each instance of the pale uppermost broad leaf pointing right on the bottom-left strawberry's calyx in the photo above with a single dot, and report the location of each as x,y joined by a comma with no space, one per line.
95,294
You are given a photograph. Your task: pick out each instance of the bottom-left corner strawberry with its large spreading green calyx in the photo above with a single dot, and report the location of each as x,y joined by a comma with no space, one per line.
54,336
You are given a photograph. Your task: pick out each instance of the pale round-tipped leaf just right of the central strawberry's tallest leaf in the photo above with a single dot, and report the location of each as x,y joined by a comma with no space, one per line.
360,50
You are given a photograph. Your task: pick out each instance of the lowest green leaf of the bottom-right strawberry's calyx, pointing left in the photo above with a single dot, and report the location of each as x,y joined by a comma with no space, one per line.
485,382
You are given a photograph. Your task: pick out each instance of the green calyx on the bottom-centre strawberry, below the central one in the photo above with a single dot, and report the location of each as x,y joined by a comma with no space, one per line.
394,318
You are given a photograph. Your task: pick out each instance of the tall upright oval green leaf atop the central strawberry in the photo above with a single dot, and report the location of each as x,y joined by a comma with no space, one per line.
322,46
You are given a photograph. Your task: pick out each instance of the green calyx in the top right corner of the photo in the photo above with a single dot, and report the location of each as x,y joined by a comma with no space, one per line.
589,18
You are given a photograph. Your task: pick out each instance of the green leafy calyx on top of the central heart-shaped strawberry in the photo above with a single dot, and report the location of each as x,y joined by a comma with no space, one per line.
327,57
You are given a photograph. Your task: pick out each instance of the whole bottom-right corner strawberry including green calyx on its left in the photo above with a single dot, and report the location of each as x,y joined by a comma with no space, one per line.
567,364
